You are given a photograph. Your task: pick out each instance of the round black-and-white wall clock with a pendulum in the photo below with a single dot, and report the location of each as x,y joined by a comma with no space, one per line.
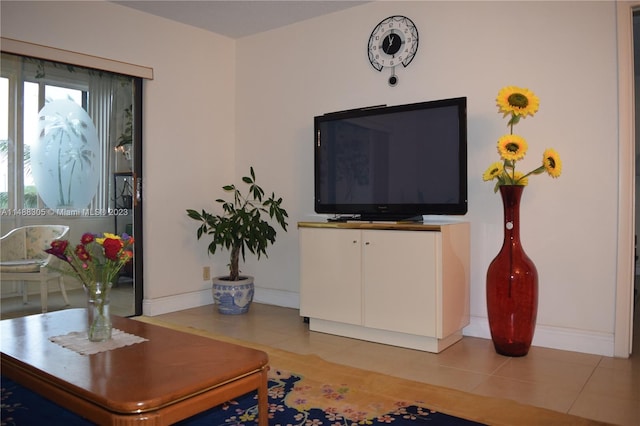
392,42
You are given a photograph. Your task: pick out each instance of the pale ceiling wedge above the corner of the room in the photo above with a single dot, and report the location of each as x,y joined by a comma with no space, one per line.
239,18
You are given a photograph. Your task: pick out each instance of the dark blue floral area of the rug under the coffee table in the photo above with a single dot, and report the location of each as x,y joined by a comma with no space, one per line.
287,406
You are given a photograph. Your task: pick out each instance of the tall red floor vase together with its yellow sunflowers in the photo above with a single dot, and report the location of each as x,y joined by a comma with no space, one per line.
512,277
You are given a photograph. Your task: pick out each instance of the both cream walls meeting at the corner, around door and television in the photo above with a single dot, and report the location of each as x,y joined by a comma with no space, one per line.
220,117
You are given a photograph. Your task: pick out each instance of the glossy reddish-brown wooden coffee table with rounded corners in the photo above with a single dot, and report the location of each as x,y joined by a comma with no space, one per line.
170,377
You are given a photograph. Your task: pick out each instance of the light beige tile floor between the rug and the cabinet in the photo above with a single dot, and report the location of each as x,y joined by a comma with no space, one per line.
592,386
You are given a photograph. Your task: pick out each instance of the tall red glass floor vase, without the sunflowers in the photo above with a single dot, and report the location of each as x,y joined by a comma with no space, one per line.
512,285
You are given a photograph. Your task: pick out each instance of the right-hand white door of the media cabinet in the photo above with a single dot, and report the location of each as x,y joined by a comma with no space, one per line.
400,274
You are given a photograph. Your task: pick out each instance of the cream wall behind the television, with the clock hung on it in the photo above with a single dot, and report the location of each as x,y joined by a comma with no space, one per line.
563,51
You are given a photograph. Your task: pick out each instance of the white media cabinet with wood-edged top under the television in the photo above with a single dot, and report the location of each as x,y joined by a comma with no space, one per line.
401,284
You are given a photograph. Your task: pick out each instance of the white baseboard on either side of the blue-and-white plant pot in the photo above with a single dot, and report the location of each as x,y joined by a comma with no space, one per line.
179,302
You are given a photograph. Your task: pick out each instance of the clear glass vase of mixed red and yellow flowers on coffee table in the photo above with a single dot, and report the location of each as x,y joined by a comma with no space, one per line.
96,262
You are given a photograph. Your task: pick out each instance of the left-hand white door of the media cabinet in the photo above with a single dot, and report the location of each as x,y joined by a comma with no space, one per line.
330,278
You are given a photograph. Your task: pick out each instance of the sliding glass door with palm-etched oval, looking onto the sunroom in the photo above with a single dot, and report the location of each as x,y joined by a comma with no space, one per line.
70,153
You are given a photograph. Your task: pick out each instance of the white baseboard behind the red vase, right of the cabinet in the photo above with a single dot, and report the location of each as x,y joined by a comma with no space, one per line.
565,339
